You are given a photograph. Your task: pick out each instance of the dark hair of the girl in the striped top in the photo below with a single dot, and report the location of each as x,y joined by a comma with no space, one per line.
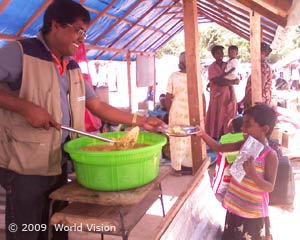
263,114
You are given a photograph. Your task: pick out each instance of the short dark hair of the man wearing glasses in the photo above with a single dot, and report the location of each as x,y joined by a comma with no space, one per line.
64,12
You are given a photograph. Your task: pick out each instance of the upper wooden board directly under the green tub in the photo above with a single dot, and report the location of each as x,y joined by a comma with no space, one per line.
73,192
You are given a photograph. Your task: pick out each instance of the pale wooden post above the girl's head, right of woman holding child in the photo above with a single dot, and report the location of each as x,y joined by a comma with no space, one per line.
255,55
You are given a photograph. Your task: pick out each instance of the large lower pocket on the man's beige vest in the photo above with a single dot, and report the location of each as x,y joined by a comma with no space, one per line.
29,150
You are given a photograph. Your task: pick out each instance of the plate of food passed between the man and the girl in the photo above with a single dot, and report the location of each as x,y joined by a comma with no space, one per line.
180,130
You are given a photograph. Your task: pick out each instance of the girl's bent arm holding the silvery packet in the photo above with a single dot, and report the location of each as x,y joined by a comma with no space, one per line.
271,164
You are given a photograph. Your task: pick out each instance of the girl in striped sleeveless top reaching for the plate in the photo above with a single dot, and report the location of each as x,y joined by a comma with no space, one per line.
247,201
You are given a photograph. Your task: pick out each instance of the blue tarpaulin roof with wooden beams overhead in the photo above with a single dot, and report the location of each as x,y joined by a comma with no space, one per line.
141,26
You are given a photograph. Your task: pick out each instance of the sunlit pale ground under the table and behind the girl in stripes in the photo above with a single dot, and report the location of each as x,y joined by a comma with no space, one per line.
284,220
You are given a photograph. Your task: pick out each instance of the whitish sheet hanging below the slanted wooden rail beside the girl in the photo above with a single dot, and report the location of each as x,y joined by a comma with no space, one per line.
201,216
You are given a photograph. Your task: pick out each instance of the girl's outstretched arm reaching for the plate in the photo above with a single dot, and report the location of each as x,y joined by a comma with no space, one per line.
218,147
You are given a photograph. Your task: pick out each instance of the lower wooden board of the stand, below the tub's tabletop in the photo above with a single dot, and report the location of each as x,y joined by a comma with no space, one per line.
95,218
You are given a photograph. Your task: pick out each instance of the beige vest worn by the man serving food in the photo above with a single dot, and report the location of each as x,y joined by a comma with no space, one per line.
36,151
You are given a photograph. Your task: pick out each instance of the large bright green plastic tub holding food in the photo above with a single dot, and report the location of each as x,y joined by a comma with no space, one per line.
116,170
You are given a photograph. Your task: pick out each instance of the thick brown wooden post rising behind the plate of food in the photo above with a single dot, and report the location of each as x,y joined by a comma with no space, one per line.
194,82
